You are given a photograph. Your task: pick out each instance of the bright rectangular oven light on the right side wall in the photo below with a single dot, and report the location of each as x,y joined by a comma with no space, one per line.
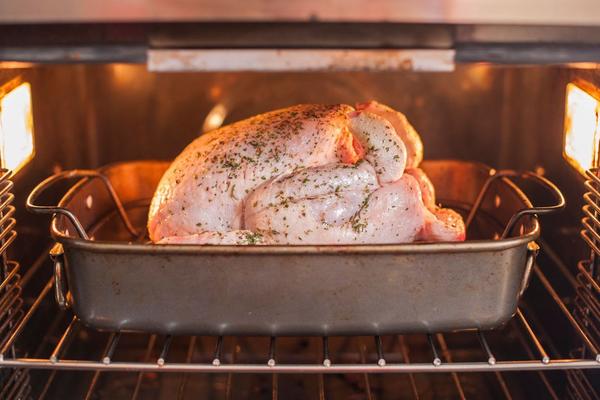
582,128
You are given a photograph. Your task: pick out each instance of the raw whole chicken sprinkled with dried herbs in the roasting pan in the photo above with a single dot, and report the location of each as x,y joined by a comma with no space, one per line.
308,174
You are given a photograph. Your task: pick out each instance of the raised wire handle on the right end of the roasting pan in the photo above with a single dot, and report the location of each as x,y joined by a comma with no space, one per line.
535,210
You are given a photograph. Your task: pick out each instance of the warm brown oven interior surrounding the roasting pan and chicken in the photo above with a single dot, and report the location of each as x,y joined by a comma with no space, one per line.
506,116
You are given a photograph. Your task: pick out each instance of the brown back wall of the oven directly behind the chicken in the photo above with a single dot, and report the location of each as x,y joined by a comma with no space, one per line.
139,114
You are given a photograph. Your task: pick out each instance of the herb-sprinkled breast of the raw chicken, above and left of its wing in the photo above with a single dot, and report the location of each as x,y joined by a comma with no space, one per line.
204,188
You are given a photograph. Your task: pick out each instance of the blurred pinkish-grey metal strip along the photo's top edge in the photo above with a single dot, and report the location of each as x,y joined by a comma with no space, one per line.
553,12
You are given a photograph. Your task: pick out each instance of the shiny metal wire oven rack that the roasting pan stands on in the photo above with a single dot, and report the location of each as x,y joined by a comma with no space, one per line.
440,360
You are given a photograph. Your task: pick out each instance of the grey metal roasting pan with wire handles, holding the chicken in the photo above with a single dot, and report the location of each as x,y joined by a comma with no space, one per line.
113,279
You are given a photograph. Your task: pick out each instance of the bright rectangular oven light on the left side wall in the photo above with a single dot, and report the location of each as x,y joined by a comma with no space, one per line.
16,127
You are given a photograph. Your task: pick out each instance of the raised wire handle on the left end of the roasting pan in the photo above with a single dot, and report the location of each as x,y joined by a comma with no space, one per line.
76,173
